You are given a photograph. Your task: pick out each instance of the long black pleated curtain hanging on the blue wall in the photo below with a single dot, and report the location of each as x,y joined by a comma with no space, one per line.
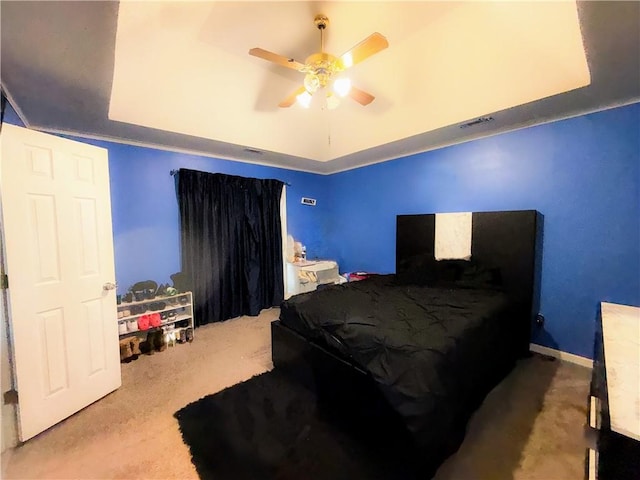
231,243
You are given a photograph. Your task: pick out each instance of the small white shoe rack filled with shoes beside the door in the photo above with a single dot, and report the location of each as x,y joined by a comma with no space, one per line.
151,325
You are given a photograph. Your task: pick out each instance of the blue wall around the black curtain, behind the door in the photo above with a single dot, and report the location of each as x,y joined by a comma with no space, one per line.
146,227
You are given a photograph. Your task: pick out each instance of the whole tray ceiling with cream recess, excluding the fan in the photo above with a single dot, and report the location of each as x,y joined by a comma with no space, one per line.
177,75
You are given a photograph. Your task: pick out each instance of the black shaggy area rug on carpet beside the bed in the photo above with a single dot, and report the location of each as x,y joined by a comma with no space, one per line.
270,427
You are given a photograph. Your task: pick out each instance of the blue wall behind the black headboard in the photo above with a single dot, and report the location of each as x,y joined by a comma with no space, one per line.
582,174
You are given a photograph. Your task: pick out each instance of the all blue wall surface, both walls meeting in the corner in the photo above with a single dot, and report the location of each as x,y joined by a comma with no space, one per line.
583,174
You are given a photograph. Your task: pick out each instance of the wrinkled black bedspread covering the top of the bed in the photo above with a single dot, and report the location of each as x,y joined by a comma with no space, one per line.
435,352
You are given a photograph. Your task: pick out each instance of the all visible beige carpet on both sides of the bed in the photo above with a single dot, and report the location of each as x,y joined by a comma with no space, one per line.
530,426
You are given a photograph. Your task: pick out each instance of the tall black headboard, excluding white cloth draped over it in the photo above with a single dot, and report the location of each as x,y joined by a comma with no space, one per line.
510,241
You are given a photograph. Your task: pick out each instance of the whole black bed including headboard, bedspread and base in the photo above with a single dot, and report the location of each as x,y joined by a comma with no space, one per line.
413,354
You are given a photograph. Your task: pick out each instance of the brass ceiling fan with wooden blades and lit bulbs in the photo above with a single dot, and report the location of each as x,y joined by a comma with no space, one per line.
322,69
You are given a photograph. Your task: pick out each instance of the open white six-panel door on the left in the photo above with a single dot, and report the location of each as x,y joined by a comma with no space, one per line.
59,258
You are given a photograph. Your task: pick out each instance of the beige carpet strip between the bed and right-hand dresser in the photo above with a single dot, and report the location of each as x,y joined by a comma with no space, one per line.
531,426
